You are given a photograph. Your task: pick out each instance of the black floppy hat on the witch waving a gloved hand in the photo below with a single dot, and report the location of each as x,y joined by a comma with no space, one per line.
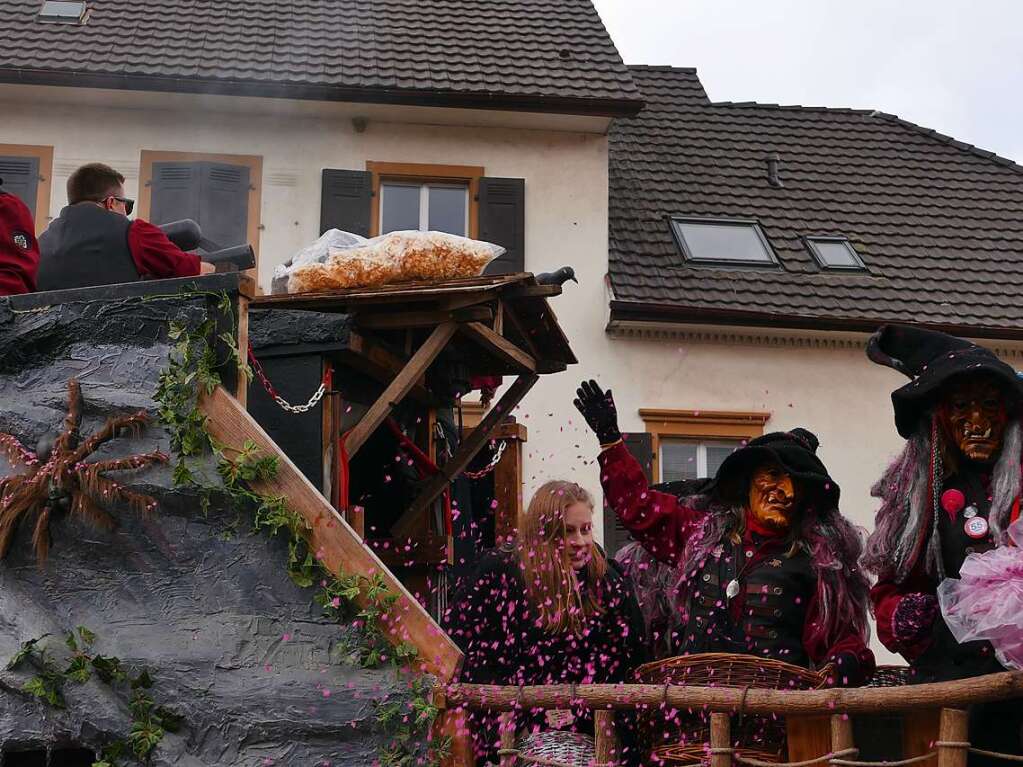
794,452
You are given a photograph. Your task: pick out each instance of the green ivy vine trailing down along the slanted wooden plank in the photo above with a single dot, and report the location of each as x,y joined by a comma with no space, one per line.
353,600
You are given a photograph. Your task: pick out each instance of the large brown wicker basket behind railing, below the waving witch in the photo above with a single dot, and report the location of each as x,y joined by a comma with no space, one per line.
688,731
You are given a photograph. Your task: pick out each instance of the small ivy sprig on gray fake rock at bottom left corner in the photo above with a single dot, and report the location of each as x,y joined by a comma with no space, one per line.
150,723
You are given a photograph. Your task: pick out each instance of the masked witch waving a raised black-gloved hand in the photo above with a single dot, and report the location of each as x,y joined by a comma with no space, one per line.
768,564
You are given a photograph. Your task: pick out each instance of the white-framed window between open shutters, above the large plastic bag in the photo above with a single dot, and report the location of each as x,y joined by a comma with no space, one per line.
441,207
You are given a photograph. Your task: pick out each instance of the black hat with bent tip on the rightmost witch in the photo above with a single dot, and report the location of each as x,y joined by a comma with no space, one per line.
931,359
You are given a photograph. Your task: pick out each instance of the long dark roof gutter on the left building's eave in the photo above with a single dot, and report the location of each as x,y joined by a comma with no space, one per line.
452,100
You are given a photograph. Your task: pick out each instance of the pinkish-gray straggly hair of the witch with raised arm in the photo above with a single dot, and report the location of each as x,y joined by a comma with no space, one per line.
834,544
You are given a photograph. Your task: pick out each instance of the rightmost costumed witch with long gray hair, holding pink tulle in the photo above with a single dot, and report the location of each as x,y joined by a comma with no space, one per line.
952,493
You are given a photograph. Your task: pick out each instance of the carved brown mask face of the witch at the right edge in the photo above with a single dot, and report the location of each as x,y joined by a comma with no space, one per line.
974,415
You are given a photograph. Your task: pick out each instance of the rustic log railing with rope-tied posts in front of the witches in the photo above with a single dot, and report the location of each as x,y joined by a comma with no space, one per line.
951,699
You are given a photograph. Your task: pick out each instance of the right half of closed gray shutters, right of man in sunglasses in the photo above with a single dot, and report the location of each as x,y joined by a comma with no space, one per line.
224,203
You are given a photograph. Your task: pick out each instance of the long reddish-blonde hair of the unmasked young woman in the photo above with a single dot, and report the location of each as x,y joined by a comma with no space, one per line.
551,581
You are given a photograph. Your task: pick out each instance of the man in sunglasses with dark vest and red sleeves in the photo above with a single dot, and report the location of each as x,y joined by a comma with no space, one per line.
94,243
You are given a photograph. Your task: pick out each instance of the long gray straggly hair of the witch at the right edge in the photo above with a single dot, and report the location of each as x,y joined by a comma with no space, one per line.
907,520
